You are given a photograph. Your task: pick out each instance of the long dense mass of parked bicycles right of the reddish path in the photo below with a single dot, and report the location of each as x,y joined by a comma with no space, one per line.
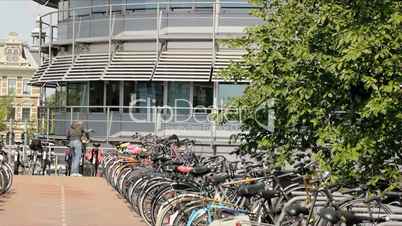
166,188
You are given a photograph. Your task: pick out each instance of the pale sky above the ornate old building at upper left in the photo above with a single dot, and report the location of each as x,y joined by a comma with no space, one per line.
19,16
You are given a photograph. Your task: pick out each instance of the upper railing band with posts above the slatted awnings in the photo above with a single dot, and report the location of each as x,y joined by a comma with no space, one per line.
152,21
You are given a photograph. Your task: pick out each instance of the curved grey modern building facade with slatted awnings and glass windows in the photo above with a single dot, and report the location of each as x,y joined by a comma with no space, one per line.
140,62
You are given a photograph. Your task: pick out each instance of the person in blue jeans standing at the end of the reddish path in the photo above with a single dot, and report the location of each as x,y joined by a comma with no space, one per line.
74,134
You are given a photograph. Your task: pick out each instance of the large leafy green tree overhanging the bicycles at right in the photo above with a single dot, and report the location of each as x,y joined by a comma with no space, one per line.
333,68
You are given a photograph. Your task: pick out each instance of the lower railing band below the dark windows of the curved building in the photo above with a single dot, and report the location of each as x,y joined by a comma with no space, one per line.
118,122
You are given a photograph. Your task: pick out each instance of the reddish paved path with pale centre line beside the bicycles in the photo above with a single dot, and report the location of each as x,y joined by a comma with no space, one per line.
64,201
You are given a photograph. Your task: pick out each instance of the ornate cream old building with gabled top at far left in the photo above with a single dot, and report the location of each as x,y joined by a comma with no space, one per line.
17,66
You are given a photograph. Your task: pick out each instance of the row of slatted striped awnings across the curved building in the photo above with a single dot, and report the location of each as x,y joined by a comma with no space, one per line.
170,65
